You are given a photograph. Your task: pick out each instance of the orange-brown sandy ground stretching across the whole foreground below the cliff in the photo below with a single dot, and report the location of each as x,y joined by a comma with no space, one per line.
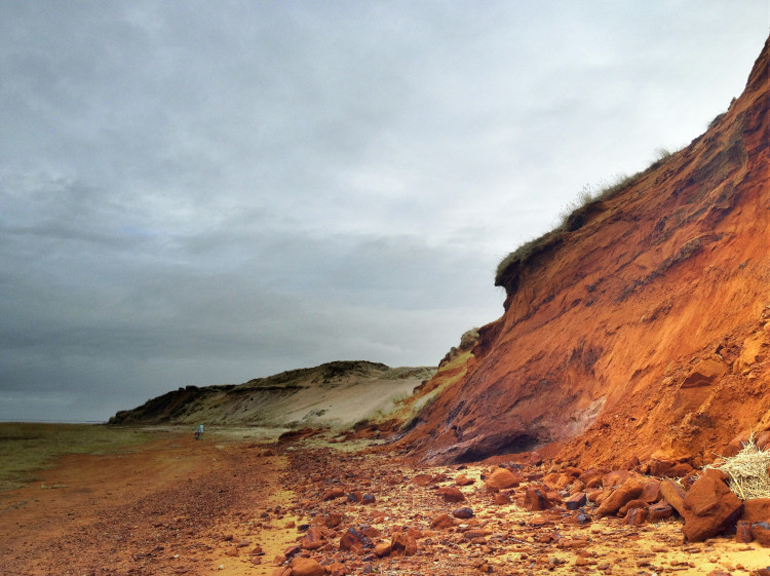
230,507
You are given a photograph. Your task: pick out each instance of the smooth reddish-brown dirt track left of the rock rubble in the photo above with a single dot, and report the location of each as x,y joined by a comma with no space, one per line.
173,507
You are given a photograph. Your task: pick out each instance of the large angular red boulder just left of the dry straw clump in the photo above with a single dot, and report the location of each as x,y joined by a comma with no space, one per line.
710,507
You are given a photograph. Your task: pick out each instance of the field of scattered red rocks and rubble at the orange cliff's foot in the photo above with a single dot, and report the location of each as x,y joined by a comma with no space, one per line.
374,514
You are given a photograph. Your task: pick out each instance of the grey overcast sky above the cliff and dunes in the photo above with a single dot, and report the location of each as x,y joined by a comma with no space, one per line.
207,192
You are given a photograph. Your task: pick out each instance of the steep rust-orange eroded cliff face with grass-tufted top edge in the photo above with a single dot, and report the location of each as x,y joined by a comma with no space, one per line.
642,329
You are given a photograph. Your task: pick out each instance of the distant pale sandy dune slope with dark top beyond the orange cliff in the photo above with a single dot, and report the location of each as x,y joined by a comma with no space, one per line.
336,394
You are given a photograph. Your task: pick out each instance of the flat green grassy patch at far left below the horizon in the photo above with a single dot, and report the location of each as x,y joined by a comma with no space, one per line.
26,448
